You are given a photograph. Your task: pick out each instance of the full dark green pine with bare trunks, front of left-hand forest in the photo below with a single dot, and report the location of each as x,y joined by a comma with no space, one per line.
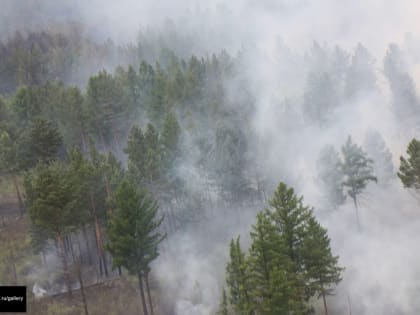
133,233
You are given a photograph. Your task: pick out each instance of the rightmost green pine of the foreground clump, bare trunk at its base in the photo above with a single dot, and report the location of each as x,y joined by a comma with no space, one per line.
321,267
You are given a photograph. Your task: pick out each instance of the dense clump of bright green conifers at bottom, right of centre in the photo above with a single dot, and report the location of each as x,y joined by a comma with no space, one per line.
289,261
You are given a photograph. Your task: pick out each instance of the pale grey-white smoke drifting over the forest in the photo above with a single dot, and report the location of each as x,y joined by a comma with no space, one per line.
307,75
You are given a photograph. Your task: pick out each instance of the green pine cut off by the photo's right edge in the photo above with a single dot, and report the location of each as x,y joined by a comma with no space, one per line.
410,168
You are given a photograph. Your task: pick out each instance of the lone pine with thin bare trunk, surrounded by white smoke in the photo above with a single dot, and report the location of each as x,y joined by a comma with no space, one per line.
358,171
